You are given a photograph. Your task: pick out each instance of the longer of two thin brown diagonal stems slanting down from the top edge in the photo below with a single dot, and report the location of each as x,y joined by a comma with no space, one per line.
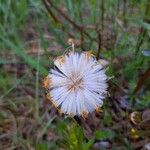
74,24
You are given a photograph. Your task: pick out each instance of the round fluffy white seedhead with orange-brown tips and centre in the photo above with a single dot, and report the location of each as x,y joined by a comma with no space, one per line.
77,84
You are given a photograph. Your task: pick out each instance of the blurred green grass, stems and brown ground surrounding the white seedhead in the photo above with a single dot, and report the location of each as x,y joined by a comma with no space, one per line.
33,33
